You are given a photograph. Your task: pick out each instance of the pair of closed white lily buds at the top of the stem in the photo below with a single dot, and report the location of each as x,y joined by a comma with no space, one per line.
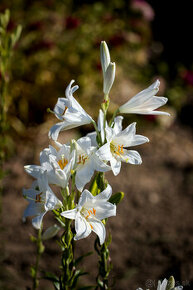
108,68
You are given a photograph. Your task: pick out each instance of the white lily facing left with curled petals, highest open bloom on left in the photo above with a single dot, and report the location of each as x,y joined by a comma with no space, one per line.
69,112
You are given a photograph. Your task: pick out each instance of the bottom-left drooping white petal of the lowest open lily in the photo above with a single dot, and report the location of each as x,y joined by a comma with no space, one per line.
82,227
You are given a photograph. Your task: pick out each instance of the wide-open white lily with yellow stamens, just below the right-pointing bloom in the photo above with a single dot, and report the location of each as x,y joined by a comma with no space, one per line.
114,150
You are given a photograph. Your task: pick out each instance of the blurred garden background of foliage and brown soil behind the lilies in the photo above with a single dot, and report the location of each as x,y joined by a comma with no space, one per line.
60,41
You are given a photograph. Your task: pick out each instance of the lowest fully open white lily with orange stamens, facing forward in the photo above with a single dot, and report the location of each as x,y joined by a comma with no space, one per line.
89,212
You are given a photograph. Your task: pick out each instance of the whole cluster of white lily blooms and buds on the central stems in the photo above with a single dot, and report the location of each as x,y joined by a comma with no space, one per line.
102,150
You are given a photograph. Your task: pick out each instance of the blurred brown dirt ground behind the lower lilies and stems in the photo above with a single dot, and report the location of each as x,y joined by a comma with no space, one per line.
153,230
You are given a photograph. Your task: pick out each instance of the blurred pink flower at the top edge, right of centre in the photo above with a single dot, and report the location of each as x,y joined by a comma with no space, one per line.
145,9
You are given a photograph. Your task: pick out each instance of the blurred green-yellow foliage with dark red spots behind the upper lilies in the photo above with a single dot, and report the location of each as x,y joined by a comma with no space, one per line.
60,41
